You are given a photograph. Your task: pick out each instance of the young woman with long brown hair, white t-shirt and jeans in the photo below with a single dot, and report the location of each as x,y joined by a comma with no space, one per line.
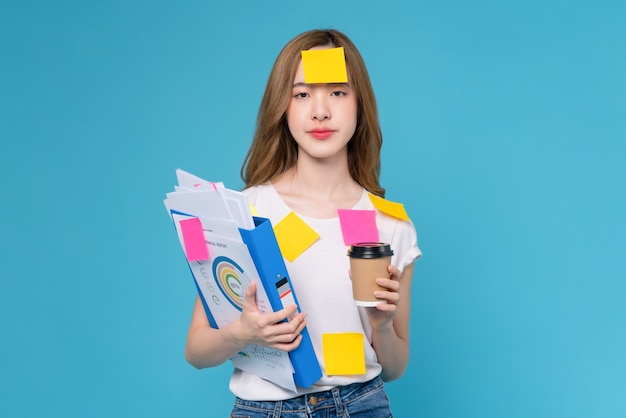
316,150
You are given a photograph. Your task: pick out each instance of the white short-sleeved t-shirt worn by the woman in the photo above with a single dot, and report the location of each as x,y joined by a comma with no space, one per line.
322,285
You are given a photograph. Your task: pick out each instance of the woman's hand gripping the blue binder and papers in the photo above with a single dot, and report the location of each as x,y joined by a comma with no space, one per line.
270,329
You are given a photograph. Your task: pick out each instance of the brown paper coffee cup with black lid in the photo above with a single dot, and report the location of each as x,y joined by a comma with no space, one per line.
368,261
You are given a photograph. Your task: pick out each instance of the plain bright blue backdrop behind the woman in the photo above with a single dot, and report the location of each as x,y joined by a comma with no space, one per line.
505,138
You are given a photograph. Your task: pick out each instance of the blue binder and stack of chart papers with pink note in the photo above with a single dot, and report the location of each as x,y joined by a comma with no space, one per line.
227,249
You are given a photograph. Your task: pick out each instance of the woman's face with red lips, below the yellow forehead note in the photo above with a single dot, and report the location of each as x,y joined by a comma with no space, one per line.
321,117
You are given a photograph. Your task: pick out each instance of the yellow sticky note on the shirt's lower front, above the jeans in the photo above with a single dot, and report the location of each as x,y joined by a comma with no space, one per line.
344,353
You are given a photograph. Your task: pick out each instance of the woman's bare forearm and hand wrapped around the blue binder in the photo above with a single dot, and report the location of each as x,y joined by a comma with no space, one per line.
207,347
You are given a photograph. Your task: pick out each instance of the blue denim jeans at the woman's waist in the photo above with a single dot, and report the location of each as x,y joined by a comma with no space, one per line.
365,400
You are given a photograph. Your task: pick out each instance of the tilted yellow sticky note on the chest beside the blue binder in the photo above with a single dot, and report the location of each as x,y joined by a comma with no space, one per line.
294,236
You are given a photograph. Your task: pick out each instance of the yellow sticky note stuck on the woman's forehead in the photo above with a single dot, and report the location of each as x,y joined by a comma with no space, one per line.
324,66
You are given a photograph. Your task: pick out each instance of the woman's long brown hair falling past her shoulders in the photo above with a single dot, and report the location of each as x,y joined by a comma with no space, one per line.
273,149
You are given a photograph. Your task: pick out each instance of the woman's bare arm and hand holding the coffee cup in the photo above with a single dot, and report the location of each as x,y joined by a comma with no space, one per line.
390,323
